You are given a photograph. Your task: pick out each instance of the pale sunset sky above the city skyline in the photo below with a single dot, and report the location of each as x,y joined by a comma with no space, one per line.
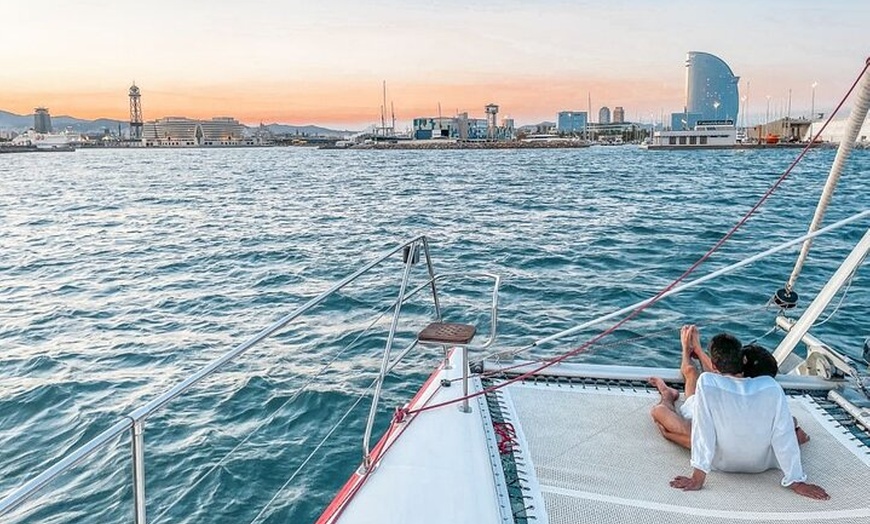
324,62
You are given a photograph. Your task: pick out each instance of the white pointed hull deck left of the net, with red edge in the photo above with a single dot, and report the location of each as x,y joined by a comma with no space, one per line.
439,469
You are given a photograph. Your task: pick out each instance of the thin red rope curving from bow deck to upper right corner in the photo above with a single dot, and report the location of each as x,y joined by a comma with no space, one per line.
634,313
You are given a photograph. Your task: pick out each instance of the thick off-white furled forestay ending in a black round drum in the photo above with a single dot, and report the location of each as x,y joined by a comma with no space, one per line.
787,297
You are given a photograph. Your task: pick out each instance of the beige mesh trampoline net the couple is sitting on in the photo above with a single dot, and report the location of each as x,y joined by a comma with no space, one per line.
598,458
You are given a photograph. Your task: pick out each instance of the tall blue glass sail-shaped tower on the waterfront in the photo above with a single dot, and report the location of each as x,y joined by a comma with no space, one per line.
711,87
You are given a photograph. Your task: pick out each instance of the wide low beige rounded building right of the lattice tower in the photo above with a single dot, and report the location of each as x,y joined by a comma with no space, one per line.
184,132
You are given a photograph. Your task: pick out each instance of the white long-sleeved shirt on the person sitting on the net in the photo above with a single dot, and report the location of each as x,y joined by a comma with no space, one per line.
743,425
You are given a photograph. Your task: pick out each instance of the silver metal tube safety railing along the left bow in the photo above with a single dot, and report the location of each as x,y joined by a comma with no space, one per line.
134,421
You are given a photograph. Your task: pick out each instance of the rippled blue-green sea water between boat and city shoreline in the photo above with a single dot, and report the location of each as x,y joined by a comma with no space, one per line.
121,272
